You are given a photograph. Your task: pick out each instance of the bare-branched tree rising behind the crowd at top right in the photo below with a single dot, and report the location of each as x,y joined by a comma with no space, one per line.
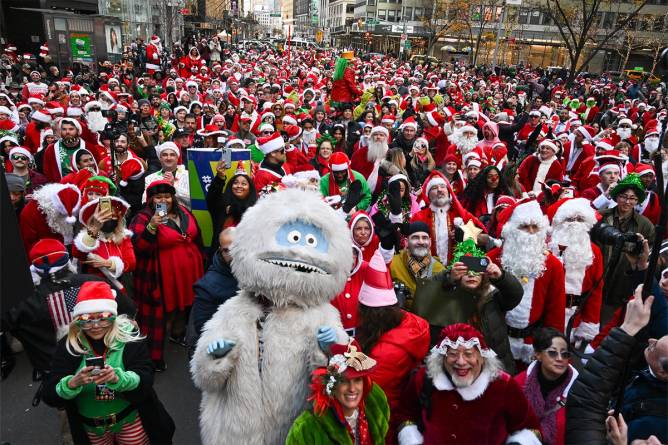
577,23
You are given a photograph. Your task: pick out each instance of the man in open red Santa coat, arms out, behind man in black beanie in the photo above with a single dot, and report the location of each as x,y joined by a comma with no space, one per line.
441,215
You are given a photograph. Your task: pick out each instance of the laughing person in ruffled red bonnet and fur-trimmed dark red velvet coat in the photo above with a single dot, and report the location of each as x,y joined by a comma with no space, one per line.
462,396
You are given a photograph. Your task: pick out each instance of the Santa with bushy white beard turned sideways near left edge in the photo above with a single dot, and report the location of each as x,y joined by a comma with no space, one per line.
50,214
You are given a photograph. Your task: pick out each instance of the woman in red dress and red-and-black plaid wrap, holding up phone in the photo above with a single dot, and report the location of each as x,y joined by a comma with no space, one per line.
169,261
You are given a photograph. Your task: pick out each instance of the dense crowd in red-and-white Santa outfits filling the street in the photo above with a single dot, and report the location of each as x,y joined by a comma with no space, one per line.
501,223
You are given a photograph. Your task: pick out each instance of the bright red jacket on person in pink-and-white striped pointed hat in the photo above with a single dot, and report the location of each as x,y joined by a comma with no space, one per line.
397,353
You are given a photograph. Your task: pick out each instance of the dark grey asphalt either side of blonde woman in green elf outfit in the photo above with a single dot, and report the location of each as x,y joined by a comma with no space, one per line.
22,424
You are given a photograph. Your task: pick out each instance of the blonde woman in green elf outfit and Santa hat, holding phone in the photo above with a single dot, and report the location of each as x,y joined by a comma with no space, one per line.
102,376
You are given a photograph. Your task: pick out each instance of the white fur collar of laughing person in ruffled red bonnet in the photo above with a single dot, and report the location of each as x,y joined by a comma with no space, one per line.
490,372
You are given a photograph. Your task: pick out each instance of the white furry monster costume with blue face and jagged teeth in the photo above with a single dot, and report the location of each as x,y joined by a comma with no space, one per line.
292,252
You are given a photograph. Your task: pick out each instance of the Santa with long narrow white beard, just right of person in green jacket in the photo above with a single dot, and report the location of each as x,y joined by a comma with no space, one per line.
367,160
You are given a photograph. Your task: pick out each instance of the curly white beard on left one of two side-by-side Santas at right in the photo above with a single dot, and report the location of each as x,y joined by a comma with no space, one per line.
524,253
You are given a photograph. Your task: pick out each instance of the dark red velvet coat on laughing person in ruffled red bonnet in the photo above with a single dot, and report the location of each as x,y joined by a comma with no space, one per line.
499,411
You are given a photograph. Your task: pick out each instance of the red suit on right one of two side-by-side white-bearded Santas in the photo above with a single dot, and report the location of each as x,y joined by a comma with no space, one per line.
578,285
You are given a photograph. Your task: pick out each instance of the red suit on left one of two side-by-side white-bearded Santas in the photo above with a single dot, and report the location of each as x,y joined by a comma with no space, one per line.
543,305
